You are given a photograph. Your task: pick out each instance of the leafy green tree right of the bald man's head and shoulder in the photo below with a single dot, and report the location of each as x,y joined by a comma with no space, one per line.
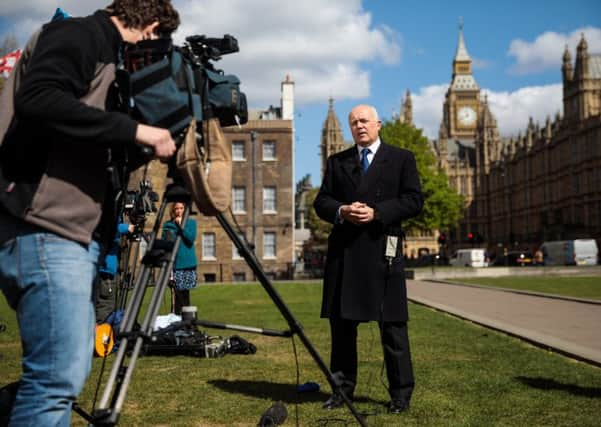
443,206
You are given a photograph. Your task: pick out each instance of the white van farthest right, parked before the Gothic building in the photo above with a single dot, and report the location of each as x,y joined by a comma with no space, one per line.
570,252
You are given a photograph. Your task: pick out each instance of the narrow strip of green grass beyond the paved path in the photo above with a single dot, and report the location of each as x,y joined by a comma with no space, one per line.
579,287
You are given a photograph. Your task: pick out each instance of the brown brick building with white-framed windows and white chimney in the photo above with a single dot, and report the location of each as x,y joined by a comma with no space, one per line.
262,197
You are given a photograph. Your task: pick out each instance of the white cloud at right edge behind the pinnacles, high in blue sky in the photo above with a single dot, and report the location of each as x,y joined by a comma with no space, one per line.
547,50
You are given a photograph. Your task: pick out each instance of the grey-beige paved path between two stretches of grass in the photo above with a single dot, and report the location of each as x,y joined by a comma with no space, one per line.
567,326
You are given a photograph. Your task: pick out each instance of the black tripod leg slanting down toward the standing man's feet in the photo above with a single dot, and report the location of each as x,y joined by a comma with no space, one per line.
295,326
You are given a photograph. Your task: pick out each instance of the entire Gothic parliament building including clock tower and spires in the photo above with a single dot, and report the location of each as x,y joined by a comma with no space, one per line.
543,184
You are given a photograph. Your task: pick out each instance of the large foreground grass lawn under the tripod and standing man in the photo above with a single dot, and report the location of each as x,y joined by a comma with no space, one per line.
465,374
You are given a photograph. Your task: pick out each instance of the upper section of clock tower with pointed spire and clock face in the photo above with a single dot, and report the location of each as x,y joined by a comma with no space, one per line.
462,101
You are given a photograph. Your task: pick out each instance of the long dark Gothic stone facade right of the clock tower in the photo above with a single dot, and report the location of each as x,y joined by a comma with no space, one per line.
546,183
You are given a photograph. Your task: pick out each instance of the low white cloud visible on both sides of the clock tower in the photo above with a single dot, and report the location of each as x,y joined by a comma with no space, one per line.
511,109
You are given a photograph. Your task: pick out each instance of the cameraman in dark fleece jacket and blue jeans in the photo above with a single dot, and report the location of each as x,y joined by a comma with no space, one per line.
53,176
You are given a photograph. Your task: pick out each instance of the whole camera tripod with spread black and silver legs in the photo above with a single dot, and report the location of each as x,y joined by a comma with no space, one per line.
162,254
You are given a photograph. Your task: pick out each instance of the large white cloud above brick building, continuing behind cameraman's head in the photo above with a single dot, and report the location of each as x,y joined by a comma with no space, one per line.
322,45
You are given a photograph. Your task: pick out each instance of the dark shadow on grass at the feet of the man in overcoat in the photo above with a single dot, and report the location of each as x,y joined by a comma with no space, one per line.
277,391
